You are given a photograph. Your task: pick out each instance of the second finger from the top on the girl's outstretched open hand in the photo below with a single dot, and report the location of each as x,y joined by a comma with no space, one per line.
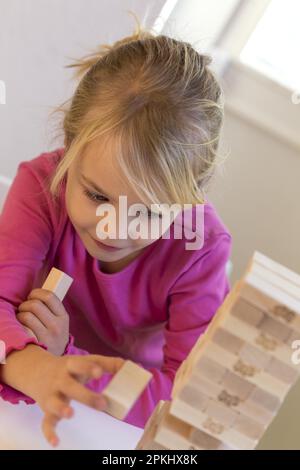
73,390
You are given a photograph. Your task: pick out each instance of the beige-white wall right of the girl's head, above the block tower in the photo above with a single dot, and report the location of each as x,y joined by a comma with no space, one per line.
258,191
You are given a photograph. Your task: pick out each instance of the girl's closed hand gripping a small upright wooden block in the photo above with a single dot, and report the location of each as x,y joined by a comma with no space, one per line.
44,314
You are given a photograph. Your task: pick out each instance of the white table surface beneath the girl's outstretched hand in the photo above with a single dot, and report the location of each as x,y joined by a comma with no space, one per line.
20,428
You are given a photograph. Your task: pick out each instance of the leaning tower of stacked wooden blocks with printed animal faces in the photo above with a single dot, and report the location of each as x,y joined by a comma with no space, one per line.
236,377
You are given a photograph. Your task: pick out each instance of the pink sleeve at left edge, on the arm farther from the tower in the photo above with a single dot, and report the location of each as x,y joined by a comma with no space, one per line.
25,236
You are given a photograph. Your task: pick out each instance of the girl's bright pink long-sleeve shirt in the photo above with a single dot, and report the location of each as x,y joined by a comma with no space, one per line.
152,311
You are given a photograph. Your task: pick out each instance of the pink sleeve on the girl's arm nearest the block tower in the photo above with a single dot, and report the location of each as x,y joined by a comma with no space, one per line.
193,300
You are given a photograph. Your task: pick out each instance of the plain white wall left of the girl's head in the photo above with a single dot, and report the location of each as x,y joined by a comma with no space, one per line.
36,39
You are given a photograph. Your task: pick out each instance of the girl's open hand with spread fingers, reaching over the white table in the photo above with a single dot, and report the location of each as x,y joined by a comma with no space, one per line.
59,380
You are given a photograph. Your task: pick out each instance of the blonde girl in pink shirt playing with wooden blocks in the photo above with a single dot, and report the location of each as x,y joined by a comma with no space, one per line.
144,123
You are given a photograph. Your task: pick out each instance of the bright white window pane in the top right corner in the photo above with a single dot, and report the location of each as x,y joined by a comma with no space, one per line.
274,46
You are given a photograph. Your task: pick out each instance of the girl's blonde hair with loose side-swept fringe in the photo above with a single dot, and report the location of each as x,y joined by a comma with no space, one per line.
159,103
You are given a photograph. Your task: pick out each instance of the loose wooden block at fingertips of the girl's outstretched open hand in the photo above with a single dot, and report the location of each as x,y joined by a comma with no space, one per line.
125,388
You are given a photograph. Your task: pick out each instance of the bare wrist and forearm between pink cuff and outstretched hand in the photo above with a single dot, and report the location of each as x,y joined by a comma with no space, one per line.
22,368
